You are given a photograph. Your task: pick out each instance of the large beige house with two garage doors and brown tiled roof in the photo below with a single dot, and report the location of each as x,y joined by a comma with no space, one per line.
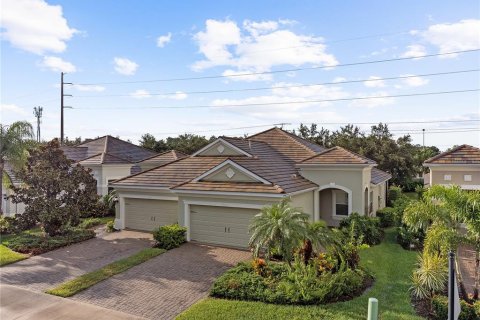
216,191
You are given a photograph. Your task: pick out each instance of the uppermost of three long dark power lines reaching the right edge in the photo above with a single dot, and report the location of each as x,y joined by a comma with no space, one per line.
283,70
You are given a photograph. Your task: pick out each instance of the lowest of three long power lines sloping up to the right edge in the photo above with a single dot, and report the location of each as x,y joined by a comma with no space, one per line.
290,102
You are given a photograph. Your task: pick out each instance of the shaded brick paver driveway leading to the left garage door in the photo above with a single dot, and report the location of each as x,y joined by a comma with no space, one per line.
44,271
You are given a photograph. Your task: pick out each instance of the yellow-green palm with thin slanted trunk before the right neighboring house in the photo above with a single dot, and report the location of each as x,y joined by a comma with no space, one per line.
440,213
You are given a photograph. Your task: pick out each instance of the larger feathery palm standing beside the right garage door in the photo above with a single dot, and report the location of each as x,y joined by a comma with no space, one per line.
278,226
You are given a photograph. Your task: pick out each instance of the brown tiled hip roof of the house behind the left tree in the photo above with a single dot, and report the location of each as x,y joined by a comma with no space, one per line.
107,150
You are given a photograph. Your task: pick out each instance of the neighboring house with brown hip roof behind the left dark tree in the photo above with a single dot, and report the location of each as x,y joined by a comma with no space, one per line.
109,158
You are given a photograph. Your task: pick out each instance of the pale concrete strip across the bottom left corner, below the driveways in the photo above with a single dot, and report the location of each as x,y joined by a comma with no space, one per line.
17,303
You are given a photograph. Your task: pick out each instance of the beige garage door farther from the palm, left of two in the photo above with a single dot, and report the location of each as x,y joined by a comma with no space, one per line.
146,214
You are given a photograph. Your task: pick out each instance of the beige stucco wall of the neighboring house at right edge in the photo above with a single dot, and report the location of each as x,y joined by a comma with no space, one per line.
457,173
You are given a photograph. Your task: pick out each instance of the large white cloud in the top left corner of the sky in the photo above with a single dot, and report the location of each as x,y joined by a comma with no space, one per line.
35,26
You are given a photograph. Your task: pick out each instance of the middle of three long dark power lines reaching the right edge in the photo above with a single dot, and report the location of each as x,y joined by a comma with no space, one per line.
282,87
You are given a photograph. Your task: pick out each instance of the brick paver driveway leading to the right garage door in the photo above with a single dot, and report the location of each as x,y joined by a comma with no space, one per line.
166,285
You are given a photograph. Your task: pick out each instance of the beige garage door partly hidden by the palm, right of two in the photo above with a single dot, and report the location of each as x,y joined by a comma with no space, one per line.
221,225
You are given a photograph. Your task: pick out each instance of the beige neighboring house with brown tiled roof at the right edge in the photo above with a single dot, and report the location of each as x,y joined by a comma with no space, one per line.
459,166
